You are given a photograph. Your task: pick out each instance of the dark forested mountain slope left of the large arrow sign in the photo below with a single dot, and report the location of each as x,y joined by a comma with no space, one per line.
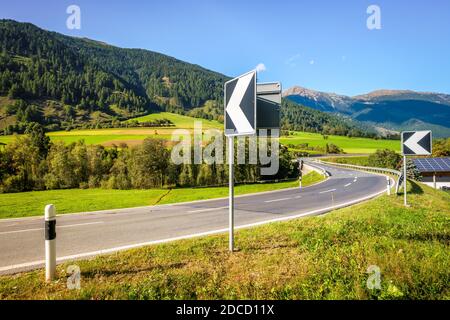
57,80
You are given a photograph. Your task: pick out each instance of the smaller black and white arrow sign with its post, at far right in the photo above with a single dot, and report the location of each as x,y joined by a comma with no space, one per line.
414,143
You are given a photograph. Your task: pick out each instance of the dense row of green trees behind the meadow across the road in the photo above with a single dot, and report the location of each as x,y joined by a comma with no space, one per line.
32,162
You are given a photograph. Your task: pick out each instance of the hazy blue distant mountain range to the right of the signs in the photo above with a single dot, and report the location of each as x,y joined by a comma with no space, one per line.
391,109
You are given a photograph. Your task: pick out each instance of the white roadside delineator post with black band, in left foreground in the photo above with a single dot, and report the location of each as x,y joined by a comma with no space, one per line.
50,242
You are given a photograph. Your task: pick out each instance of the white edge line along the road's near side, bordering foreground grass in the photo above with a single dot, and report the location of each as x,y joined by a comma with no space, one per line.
195,235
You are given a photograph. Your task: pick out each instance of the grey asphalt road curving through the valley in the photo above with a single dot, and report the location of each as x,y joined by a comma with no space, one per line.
88,234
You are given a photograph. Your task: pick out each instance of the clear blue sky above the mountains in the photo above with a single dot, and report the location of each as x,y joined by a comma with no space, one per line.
322,45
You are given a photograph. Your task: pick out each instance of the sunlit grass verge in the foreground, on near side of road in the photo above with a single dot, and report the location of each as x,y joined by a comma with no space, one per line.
323,257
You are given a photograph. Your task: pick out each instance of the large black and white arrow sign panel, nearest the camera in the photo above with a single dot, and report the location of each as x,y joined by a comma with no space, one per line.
240,105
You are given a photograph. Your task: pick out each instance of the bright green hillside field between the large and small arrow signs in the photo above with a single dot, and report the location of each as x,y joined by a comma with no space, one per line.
349,145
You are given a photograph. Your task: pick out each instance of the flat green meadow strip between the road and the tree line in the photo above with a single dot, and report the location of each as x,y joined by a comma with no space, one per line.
14,205
